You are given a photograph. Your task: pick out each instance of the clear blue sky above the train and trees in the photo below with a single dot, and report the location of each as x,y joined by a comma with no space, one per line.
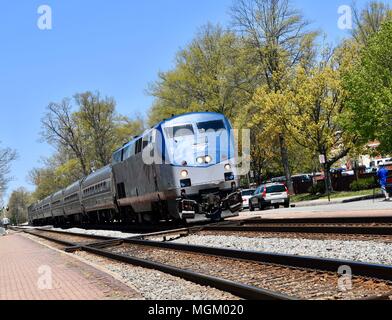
116,47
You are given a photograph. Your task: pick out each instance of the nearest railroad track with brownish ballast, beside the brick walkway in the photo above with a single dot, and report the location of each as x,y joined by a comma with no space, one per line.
248,275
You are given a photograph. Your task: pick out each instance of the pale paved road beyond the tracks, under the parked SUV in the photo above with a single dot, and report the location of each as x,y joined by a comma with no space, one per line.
354,209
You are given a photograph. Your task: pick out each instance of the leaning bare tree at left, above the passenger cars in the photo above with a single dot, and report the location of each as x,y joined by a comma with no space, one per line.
62,130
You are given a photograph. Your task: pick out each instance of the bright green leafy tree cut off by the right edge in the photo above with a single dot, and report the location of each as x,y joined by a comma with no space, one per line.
369,85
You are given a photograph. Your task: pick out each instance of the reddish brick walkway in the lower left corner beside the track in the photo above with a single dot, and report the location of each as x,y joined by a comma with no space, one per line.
22,260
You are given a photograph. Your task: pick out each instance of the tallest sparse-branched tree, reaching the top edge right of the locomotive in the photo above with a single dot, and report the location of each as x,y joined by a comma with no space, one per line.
280,40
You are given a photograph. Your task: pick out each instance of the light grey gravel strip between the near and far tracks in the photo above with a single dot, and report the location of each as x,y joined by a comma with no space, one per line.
363,251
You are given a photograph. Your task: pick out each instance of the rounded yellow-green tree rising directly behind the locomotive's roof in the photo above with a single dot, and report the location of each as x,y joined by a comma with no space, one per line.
213,73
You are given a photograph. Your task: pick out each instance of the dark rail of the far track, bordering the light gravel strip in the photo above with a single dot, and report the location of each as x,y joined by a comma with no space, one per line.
347,230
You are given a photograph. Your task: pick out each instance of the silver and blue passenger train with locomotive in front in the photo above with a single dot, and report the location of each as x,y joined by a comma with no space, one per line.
181,169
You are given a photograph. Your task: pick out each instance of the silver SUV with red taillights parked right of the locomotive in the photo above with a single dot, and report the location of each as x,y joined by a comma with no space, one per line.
270,195
